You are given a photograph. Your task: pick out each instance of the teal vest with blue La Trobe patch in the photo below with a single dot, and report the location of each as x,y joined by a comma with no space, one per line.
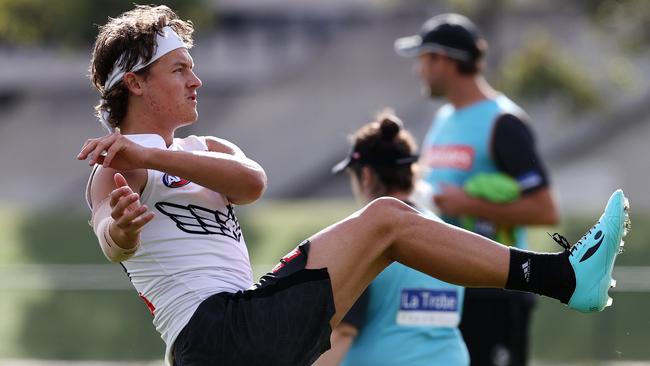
412,320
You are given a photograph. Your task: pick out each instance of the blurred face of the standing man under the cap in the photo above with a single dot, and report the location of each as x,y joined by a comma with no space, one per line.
432,70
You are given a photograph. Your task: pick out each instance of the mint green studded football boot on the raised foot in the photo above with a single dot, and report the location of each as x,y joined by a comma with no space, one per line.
593,256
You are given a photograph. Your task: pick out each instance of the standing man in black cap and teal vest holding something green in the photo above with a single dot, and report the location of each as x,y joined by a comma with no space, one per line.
478,138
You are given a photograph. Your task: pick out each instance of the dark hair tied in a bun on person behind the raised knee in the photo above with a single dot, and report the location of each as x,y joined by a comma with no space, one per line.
386,136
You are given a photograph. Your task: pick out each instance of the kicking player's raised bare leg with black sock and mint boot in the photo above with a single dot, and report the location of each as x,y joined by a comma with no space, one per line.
357,249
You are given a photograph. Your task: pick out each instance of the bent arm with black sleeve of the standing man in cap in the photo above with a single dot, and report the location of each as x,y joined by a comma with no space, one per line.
515,154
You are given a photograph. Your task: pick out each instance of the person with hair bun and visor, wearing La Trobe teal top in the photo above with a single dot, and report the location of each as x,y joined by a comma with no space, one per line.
404,317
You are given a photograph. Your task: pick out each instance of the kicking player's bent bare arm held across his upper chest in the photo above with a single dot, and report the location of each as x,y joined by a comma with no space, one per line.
224,168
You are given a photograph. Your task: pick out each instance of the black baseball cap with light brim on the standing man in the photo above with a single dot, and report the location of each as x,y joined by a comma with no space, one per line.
452,34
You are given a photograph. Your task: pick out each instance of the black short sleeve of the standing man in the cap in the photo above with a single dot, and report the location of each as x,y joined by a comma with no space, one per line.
514,151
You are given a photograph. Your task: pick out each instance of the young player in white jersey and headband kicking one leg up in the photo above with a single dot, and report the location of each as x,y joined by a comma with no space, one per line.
162,206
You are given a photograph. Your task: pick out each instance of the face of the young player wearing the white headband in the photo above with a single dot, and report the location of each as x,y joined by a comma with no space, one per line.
170,88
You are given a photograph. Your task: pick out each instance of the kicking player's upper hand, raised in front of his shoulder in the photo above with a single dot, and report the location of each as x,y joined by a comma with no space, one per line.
114,151
